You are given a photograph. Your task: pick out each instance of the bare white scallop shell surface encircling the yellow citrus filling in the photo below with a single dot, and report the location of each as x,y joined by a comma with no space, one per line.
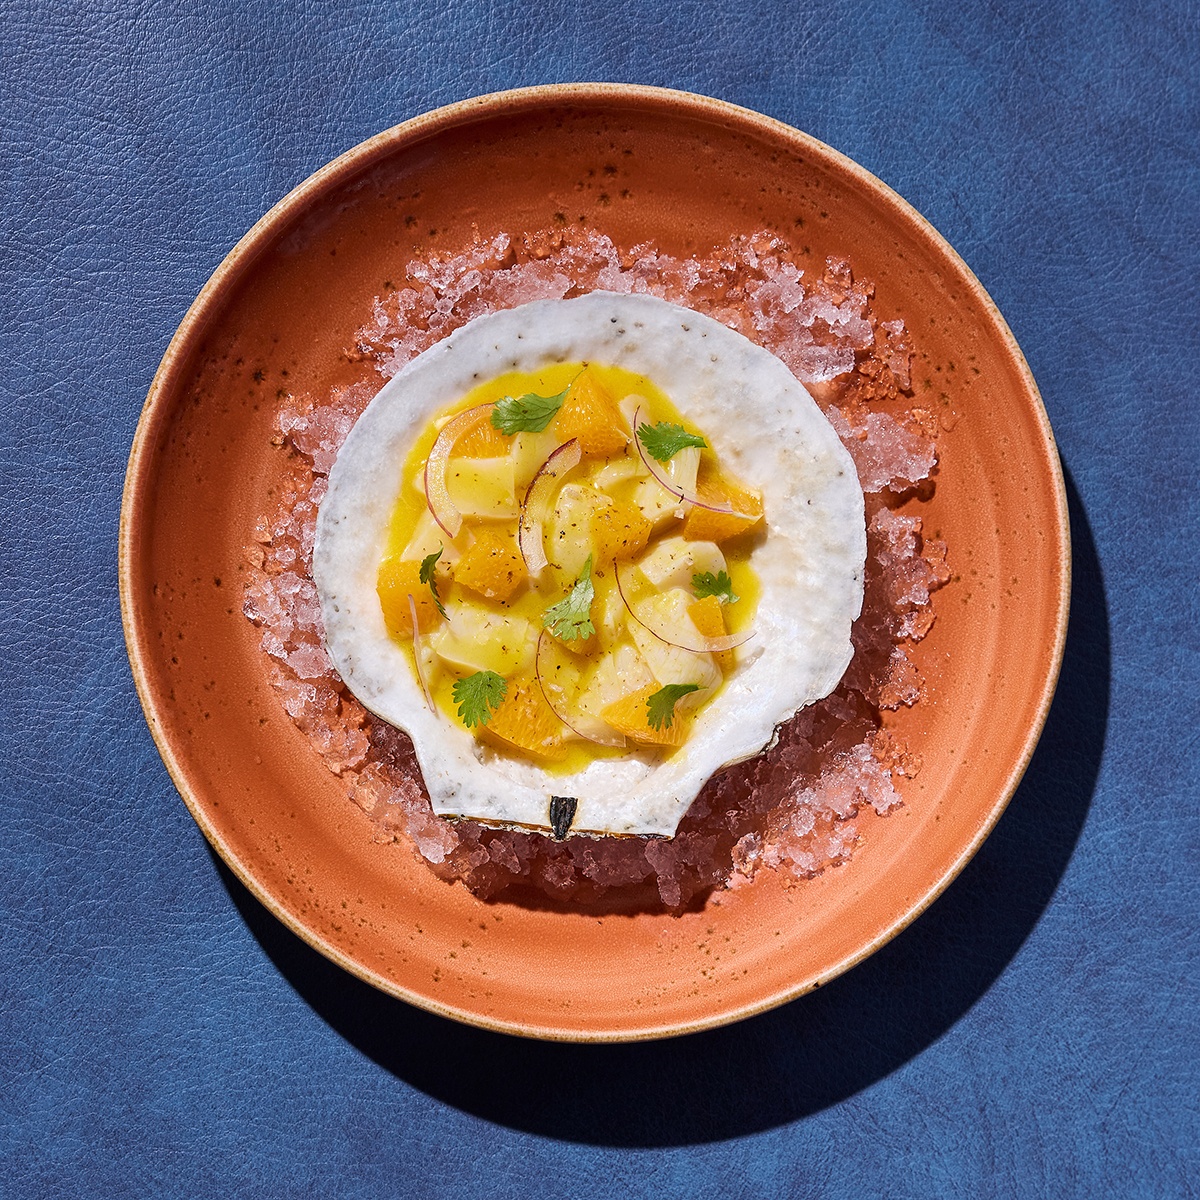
765,428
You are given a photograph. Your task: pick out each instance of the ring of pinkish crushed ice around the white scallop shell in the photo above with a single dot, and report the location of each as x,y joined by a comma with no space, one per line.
794,808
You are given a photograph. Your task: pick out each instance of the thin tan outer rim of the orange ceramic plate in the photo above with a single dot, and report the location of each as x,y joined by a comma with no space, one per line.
242,257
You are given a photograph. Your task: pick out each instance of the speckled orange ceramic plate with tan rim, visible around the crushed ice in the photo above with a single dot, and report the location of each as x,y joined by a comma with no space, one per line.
638,164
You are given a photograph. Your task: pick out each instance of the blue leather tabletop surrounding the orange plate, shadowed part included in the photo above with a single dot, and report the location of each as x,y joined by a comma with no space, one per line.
1035,1034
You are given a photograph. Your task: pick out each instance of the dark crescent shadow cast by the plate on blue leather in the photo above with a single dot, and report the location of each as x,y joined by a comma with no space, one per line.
800,1059
